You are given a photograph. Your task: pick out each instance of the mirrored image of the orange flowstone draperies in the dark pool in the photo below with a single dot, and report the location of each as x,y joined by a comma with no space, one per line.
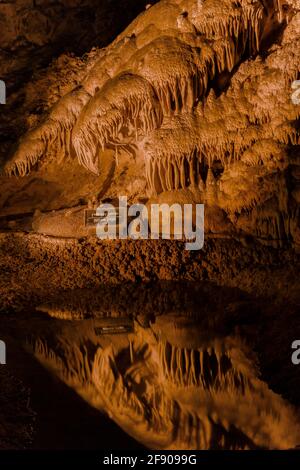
174,396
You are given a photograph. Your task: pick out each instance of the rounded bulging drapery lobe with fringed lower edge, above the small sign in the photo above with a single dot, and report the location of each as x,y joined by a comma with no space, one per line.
126,99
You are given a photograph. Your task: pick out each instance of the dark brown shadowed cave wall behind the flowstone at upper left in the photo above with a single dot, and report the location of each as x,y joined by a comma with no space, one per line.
35,31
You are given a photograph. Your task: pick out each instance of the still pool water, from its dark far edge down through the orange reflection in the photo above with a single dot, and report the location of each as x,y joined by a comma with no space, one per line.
167,363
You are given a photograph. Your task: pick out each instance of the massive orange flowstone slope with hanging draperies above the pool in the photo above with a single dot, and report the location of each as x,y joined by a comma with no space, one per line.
191,103
